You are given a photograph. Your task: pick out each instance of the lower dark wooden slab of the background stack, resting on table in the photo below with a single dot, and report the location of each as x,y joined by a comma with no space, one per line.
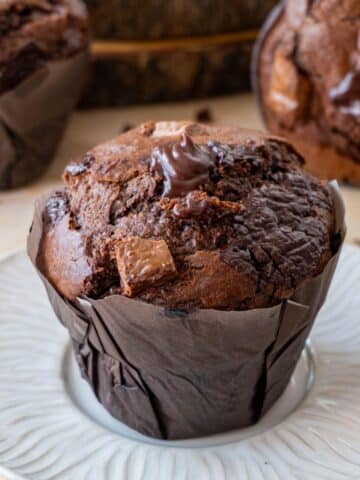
125,73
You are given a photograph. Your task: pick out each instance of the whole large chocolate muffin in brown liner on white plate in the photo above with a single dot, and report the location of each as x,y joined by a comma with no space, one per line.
188,263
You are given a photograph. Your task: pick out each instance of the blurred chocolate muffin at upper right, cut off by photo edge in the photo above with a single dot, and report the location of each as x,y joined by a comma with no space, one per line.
306,71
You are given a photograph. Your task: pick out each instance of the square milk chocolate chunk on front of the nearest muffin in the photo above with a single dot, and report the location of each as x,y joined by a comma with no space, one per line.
143,262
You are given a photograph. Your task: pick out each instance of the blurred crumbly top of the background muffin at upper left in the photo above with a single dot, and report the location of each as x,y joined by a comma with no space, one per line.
34,31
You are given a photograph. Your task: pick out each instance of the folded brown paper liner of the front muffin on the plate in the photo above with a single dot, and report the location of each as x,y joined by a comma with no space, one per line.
172,374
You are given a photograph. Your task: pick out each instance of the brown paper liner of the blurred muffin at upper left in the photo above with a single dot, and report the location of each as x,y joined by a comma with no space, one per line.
33,116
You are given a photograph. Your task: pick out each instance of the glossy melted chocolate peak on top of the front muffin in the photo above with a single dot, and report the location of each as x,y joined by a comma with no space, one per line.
184,165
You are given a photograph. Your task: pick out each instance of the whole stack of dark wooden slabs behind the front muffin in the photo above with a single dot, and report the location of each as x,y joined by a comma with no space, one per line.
164,50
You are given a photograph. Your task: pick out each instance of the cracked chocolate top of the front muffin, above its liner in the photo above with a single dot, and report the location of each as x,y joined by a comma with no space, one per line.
188,216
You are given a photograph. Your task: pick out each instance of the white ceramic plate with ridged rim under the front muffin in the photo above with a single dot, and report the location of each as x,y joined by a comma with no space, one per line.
51,427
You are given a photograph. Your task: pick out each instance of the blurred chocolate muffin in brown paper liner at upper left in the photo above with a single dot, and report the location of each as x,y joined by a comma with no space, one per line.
42,60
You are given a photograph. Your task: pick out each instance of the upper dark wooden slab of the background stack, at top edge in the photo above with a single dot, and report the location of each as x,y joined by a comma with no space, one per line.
163,19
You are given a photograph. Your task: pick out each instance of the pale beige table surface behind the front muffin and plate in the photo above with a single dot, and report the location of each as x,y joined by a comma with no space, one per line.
86,129
